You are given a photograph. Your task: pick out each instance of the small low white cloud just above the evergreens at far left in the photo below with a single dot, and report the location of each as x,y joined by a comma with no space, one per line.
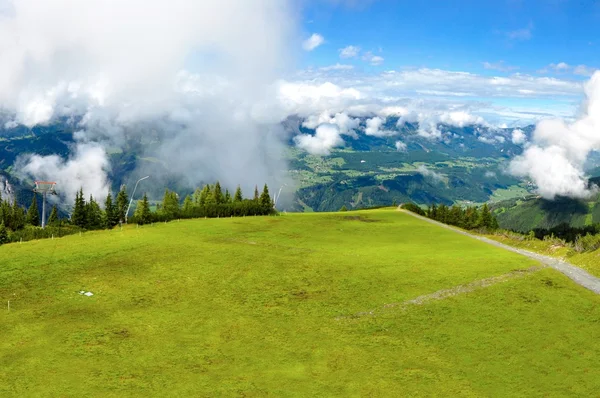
86,169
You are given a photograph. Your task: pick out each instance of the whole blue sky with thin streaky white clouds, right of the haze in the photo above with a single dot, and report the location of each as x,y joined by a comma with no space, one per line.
507,60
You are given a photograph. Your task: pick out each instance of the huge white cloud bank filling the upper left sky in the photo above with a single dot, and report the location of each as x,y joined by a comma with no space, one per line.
188,71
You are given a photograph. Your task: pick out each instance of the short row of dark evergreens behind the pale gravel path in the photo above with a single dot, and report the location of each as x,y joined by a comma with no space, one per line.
466,218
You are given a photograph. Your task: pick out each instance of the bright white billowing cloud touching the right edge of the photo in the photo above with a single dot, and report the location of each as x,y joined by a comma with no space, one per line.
555,158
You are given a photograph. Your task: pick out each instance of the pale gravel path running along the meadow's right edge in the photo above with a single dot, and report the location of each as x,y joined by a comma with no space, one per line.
576,274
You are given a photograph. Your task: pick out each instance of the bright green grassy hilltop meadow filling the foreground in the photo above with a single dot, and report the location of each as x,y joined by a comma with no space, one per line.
289,306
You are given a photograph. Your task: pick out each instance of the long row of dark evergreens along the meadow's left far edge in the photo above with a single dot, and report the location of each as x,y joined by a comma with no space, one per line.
19,223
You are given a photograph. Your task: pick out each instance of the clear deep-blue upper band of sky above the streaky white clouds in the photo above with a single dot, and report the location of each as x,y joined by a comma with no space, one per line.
458,35
